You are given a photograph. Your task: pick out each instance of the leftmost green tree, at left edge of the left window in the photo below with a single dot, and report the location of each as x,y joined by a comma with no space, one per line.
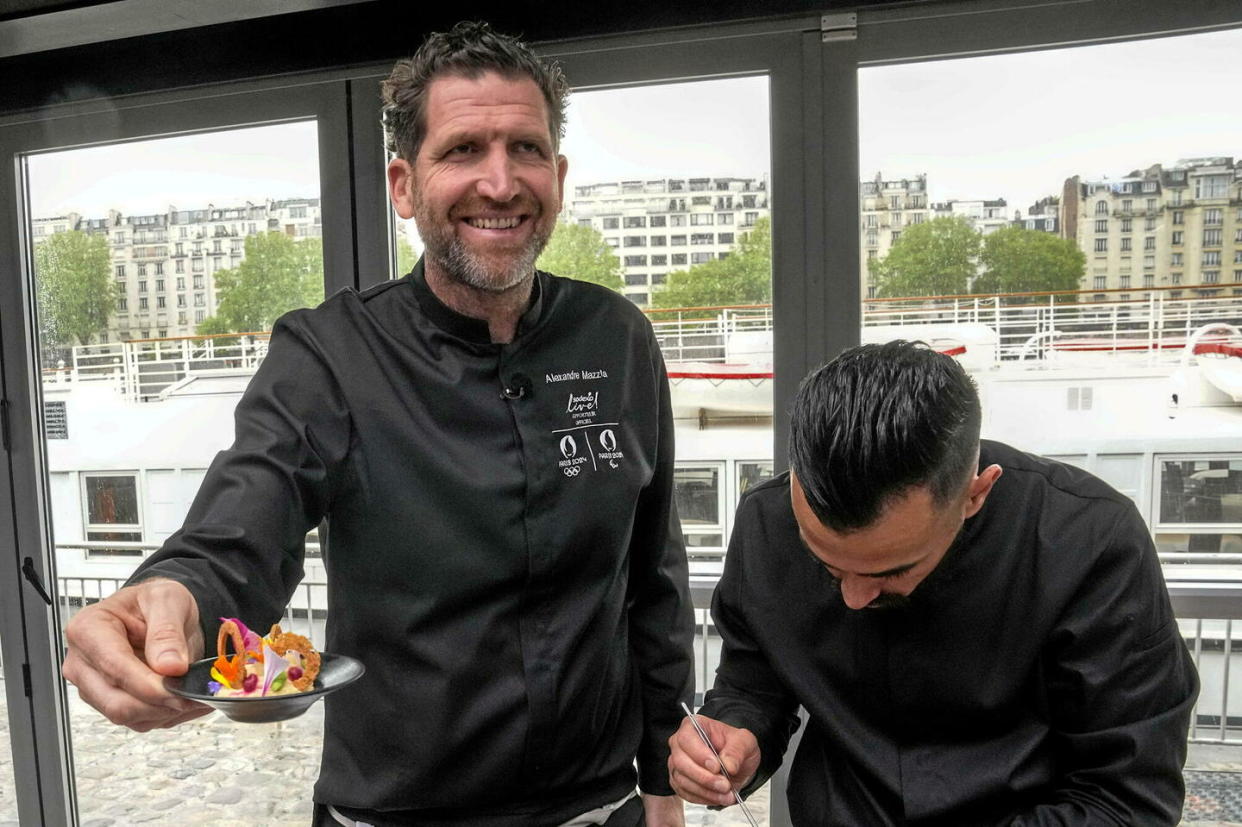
76,296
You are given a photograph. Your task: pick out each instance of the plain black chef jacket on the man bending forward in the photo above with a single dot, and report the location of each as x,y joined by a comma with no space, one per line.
1038,676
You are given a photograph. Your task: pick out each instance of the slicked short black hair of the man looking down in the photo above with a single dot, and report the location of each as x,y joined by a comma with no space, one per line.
877,420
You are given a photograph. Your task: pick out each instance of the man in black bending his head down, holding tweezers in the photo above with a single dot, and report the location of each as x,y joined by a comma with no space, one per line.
979,636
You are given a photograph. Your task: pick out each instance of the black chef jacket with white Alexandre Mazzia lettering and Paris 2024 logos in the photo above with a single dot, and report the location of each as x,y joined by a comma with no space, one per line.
509,567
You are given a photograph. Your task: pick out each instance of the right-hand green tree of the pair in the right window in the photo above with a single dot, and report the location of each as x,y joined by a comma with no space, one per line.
1019,261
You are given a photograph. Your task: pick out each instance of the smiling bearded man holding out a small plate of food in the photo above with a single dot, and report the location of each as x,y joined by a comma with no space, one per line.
509,567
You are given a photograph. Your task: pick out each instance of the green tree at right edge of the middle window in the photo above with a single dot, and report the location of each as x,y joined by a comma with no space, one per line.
745,278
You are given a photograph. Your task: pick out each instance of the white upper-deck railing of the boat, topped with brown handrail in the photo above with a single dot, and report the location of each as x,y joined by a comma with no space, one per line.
1028,332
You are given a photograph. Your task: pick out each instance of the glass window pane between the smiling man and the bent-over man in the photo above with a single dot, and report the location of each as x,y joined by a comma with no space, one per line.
638,193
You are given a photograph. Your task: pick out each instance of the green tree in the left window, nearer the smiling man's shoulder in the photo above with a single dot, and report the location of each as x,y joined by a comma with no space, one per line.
276,276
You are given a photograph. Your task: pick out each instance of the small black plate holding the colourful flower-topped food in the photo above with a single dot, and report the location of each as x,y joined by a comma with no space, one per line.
336,671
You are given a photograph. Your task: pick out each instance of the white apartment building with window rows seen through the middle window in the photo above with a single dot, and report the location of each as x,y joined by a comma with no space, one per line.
661,225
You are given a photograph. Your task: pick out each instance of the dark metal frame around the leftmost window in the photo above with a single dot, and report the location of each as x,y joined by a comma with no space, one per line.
39,723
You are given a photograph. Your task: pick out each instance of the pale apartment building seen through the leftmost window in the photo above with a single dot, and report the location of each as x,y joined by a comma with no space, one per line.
165,264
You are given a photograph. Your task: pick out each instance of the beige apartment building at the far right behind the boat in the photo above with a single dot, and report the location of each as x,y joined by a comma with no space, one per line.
1178,227
